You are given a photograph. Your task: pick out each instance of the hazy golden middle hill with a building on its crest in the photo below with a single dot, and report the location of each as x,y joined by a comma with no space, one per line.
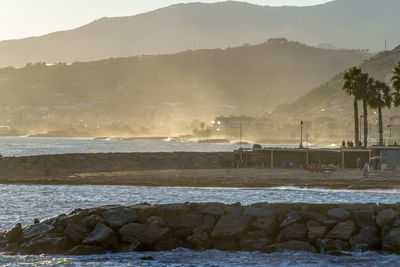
247,79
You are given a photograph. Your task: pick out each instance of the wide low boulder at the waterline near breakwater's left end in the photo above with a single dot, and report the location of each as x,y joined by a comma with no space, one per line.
50,243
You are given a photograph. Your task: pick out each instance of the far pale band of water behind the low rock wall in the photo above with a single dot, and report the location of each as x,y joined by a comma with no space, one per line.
28,146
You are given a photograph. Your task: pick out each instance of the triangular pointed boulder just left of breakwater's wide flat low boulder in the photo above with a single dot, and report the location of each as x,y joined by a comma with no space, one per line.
101,235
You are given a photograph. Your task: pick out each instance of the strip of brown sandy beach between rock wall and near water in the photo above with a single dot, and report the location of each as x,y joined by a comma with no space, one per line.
342,179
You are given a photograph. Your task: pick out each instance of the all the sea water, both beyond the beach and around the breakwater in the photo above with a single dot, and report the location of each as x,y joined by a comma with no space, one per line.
23,203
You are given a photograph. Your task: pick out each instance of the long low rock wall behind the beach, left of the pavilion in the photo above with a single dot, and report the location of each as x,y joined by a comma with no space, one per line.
68,164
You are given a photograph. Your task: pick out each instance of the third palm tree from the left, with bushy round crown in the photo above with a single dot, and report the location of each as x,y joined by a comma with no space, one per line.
380,97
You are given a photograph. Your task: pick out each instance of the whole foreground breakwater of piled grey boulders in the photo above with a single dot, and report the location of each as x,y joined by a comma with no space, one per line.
324,228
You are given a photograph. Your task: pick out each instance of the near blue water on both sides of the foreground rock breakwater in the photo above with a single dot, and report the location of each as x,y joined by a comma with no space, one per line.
23,203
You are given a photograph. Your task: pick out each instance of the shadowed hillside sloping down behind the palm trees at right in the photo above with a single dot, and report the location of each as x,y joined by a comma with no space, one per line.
330,100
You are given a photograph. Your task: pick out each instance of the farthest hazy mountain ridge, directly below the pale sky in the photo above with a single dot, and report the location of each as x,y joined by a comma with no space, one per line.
343,23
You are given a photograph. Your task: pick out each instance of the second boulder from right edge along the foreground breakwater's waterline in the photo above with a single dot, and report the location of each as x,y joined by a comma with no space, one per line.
367,239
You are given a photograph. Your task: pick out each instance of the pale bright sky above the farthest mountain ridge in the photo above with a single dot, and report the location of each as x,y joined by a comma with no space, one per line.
23,18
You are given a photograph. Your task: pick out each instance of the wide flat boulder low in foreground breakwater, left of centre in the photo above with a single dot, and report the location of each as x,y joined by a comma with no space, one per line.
147,234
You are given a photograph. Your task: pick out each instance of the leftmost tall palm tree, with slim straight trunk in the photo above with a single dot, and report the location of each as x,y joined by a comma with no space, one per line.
352,88
